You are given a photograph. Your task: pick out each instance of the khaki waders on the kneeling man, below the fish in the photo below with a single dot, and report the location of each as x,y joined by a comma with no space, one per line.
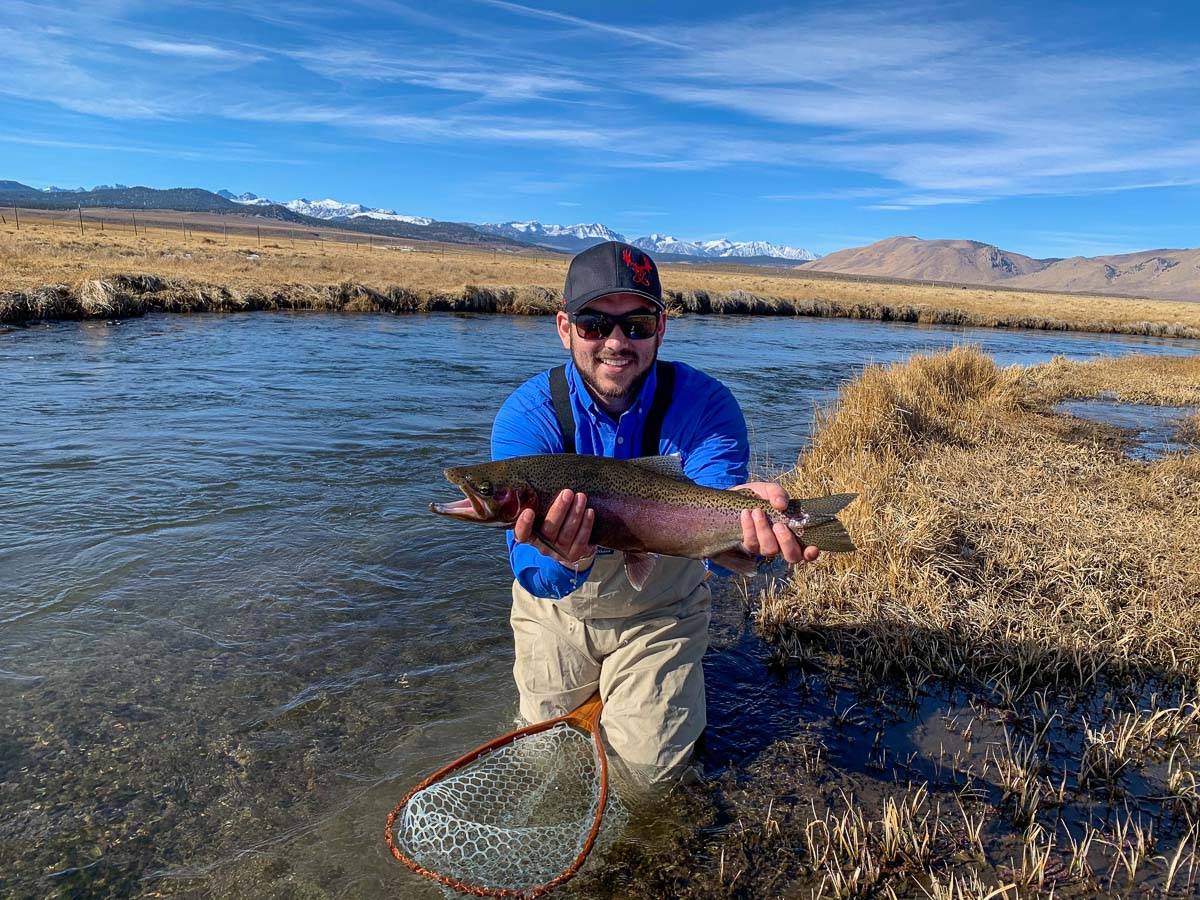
641,650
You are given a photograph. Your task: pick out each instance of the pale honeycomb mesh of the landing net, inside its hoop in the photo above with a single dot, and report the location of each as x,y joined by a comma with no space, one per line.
513,821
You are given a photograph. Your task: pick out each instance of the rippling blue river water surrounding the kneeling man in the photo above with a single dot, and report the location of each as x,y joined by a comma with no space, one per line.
233,635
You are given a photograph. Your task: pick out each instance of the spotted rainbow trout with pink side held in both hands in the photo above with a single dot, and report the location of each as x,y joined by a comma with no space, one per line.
644,508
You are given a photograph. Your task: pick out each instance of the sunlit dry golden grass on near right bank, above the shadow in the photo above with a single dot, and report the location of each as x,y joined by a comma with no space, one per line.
997,541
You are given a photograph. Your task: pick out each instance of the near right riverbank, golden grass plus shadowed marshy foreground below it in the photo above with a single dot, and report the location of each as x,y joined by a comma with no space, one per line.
1001,683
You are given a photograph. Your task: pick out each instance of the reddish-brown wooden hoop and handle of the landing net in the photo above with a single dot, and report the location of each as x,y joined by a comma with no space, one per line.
585,718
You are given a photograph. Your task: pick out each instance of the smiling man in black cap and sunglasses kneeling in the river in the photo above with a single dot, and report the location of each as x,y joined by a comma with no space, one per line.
578,622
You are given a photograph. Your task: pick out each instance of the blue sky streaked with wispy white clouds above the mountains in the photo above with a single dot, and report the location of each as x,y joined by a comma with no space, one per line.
1049,129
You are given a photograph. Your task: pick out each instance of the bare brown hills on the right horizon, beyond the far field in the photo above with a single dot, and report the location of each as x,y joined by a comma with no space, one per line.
1159,274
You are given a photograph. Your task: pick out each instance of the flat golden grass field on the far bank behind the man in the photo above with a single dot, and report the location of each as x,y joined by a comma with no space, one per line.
47,271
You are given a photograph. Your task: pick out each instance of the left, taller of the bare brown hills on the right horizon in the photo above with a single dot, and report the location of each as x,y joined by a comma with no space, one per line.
961,262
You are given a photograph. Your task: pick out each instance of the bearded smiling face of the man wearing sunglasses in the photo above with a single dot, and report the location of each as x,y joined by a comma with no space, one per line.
614,367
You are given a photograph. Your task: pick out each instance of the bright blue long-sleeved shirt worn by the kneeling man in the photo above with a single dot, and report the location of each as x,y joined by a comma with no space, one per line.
704,425
